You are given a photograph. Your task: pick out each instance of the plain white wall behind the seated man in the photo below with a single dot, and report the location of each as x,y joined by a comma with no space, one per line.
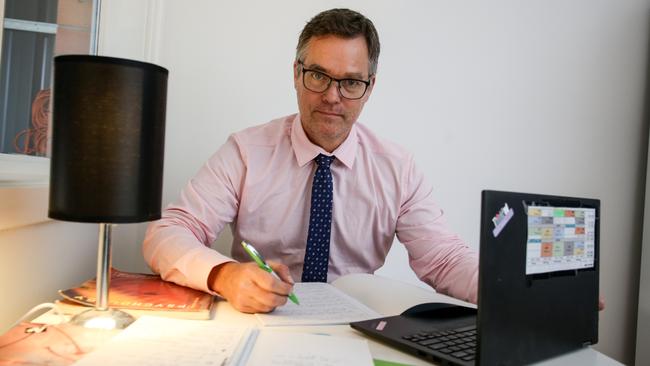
540,96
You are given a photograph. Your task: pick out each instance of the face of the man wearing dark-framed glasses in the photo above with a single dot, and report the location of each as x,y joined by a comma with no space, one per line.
327,117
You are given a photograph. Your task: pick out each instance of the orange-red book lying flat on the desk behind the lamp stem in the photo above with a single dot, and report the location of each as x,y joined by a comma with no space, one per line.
142,293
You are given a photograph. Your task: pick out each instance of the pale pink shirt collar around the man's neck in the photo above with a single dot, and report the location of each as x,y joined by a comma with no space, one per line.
306,151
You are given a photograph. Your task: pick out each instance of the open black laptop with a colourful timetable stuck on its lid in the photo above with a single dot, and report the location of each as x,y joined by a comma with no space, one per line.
538,288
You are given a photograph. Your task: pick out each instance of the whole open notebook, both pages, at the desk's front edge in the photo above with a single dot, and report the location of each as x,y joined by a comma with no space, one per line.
164,341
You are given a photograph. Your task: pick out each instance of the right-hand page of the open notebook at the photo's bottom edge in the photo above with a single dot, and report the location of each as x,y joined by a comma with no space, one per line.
277,348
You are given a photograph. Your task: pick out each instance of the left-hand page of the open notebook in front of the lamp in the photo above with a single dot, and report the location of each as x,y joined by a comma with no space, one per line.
166,341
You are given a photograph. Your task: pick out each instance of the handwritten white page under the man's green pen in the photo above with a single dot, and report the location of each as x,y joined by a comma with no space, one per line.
320,303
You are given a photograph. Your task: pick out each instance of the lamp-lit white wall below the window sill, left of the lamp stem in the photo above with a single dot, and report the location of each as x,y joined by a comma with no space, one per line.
37,260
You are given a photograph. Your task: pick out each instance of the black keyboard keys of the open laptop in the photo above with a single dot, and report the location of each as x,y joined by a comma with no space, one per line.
459,343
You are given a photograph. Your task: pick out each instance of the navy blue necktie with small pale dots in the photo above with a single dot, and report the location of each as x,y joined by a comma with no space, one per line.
320,223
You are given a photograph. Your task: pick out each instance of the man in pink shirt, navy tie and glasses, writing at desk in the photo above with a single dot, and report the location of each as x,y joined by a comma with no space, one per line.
316,193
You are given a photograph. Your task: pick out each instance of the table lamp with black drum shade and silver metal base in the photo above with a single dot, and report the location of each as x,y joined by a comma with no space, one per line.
108,132
